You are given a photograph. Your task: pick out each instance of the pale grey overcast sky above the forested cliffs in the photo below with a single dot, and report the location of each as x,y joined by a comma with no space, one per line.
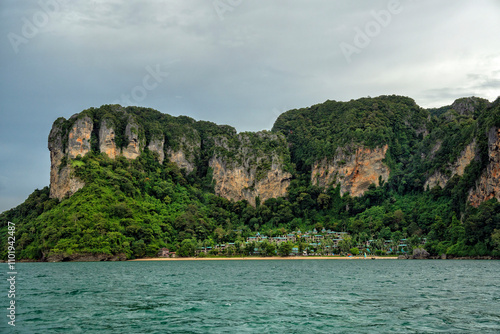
236,62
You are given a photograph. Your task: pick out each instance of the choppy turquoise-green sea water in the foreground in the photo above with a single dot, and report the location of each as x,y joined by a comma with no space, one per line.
274,296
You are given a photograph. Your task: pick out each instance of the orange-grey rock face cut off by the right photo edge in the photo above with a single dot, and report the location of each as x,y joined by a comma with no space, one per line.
488,185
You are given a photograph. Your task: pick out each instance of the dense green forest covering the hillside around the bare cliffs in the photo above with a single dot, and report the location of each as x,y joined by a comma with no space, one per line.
135,207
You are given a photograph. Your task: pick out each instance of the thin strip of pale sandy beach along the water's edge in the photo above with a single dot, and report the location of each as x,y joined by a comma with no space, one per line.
253,258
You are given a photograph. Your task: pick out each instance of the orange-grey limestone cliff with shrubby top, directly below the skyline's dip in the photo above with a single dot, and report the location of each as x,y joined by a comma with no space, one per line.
243,171
